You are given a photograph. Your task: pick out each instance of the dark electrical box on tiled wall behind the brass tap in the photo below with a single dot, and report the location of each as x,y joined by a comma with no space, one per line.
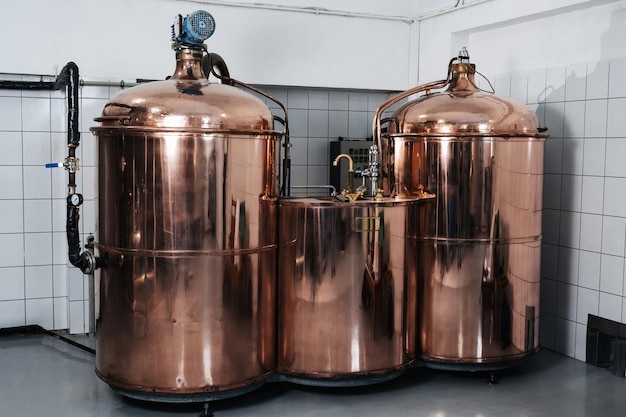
358,151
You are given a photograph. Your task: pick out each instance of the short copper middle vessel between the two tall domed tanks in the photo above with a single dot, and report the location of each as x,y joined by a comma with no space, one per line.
346,308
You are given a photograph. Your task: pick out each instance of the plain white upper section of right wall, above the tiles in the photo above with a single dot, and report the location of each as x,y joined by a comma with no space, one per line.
507,35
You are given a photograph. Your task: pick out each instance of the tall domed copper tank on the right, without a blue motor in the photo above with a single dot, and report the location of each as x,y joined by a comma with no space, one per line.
478,243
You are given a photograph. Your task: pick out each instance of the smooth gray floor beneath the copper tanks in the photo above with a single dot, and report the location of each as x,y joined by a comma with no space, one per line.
44,376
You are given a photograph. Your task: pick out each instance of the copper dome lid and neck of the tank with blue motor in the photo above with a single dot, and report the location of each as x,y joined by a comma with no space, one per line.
187,102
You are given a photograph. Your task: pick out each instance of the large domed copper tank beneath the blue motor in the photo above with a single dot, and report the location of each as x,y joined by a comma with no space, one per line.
188,184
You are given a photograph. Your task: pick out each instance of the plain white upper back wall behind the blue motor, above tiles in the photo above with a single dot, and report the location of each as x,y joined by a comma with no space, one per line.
131,39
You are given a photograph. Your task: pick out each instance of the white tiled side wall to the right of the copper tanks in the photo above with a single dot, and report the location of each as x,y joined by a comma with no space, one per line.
584,246
